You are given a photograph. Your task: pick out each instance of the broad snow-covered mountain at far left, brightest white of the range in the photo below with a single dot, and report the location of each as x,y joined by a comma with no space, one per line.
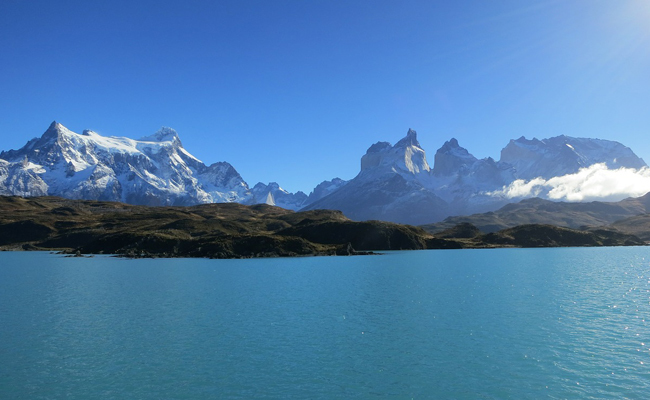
155,170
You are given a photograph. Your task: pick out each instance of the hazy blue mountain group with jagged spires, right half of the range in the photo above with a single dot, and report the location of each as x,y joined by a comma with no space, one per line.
397,184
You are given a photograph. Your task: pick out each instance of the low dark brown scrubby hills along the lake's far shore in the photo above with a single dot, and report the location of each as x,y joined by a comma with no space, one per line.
234,231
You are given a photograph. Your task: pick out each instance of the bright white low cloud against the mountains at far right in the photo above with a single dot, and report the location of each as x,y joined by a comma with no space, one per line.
596,182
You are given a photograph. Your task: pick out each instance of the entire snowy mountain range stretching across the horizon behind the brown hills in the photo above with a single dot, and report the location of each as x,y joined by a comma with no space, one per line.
395,183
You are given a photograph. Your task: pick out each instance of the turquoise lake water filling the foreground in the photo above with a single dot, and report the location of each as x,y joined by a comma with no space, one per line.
489,324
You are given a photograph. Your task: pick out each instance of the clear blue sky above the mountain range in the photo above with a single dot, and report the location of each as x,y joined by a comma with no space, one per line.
296,91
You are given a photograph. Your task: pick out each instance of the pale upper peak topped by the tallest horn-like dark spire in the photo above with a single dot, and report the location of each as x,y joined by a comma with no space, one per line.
405,157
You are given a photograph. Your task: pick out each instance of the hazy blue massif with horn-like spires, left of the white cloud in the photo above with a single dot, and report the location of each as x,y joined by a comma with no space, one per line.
397,184
